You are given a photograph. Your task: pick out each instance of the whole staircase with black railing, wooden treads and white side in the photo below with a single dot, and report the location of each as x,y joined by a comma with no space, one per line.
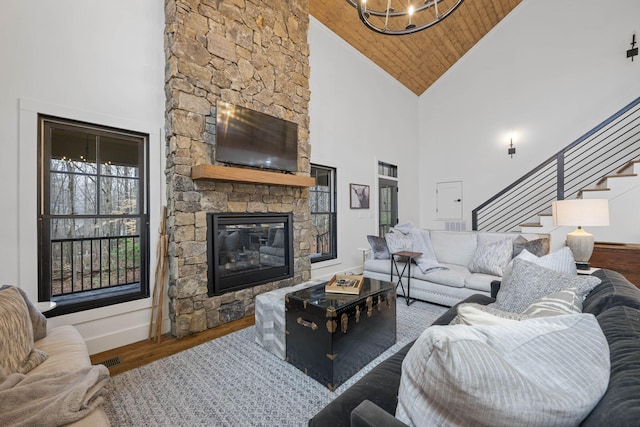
603,163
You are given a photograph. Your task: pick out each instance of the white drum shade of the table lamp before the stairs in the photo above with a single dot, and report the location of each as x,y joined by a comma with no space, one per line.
581,212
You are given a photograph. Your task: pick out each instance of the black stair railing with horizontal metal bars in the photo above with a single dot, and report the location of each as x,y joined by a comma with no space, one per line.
599,152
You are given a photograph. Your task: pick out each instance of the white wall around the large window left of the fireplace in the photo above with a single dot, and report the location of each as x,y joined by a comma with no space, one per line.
100,62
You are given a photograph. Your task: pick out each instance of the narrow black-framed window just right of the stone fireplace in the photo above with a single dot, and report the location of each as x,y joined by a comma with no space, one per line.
322,201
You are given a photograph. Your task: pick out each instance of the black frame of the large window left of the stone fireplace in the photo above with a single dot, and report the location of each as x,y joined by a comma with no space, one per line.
82,300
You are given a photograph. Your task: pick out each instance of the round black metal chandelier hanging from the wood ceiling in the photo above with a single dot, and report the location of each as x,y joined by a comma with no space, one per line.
417,15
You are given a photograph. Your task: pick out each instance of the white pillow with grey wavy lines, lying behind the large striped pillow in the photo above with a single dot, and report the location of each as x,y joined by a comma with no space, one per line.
558,303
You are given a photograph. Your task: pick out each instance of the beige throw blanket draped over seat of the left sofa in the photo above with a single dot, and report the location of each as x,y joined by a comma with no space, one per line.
51,399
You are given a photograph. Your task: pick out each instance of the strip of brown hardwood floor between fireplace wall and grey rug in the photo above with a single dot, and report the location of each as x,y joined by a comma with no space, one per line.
131,356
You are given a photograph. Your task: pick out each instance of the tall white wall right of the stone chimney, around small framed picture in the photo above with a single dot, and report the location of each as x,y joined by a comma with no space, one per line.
359,115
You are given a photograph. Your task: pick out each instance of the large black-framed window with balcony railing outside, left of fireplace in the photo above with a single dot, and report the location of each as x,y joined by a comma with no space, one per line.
92,215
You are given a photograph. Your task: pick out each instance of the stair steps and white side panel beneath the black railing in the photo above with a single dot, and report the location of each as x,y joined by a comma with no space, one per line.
622,189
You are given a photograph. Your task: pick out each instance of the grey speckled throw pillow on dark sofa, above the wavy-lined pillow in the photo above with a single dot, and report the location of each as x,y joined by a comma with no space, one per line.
526,282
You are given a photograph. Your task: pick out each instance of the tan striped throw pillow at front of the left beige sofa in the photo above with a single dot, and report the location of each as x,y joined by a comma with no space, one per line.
17,354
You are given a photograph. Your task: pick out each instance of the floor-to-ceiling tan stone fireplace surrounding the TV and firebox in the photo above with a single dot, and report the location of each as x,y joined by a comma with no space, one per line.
252,53
